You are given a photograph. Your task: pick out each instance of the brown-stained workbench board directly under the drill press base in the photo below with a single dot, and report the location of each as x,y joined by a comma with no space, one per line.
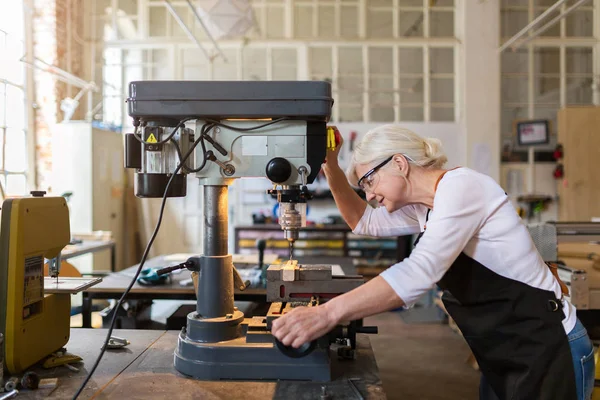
152,376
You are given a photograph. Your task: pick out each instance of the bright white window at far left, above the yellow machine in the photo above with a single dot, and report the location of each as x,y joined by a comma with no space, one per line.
13,122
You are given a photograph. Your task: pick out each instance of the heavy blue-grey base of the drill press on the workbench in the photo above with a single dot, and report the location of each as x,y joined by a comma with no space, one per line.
252,356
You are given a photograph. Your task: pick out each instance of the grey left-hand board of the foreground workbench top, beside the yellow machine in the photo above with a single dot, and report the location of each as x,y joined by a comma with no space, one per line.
86,343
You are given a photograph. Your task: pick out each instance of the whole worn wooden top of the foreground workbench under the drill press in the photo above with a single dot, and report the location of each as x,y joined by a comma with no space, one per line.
144,370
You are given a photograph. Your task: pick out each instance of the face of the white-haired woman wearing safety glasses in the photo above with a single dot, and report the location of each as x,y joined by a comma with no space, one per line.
381,182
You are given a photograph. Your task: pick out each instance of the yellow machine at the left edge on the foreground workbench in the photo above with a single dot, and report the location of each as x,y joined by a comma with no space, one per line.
34,324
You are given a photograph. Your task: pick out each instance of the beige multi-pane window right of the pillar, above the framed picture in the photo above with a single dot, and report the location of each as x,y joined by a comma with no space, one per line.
542,76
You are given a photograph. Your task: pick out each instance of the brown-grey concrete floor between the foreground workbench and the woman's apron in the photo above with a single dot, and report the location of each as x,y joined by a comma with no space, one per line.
425,361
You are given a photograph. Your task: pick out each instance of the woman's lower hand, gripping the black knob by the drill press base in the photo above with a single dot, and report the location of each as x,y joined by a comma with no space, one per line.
302,325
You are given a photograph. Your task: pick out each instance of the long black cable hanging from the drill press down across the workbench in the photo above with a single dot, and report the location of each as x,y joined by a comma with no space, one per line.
142,262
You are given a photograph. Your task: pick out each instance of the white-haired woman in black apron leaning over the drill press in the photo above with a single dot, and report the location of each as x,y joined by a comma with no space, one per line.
508,303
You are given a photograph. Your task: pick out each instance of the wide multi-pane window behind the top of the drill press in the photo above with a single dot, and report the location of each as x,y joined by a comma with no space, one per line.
391,61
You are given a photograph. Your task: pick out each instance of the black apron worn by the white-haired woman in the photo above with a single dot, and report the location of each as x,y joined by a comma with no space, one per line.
514,330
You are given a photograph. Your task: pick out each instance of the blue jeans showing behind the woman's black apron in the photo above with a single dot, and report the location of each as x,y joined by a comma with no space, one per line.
582,351
